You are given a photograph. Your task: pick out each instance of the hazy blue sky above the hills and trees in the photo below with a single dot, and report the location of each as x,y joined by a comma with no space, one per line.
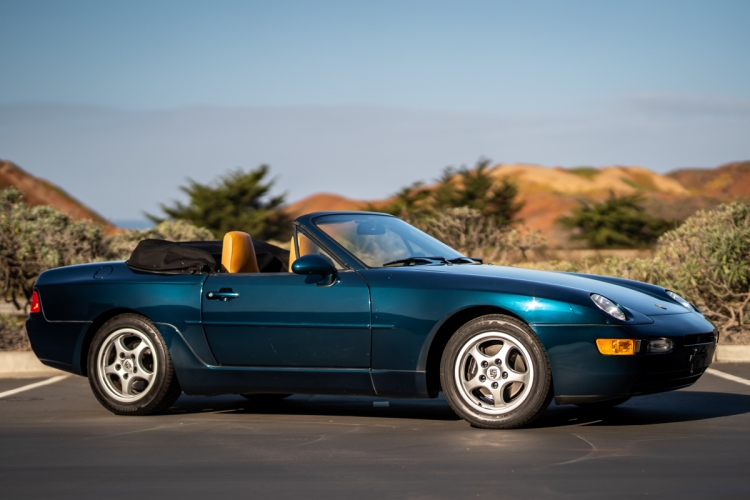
361,98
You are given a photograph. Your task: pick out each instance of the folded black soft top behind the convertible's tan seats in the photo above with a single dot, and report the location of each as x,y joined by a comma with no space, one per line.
195,257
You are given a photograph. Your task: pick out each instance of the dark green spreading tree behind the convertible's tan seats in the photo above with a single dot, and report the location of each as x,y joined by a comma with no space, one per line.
238,201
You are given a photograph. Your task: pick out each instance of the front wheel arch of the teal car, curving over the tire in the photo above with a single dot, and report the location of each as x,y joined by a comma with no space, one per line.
443,334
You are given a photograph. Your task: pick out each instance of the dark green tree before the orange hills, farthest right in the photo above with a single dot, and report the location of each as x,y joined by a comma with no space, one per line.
618,222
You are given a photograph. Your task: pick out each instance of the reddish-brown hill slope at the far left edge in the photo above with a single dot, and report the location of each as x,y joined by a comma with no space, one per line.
38,191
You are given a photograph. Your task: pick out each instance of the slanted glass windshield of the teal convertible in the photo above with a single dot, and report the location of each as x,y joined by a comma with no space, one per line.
377,240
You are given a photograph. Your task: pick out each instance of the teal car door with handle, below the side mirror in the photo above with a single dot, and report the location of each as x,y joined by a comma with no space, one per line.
288,320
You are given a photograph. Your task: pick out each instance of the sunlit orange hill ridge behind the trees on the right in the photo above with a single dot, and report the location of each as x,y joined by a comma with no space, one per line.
549,192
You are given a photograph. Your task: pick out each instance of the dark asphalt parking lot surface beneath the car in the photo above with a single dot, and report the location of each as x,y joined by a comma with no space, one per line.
57,442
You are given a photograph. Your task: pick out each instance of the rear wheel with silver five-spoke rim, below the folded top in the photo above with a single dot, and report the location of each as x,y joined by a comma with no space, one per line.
129,367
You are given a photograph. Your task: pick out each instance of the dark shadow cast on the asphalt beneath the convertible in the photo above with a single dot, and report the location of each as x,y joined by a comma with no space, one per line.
669,407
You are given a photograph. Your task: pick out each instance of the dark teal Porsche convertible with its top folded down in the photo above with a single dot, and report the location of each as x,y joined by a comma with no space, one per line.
362,304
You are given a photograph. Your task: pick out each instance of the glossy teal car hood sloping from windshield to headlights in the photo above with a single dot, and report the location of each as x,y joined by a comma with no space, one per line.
636,300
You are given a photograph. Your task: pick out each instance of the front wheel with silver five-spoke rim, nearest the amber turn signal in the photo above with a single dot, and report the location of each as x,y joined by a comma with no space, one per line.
508,386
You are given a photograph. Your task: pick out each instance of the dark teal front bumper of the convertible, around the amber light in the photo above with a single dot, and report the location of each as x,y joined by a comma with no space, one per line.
581,374
